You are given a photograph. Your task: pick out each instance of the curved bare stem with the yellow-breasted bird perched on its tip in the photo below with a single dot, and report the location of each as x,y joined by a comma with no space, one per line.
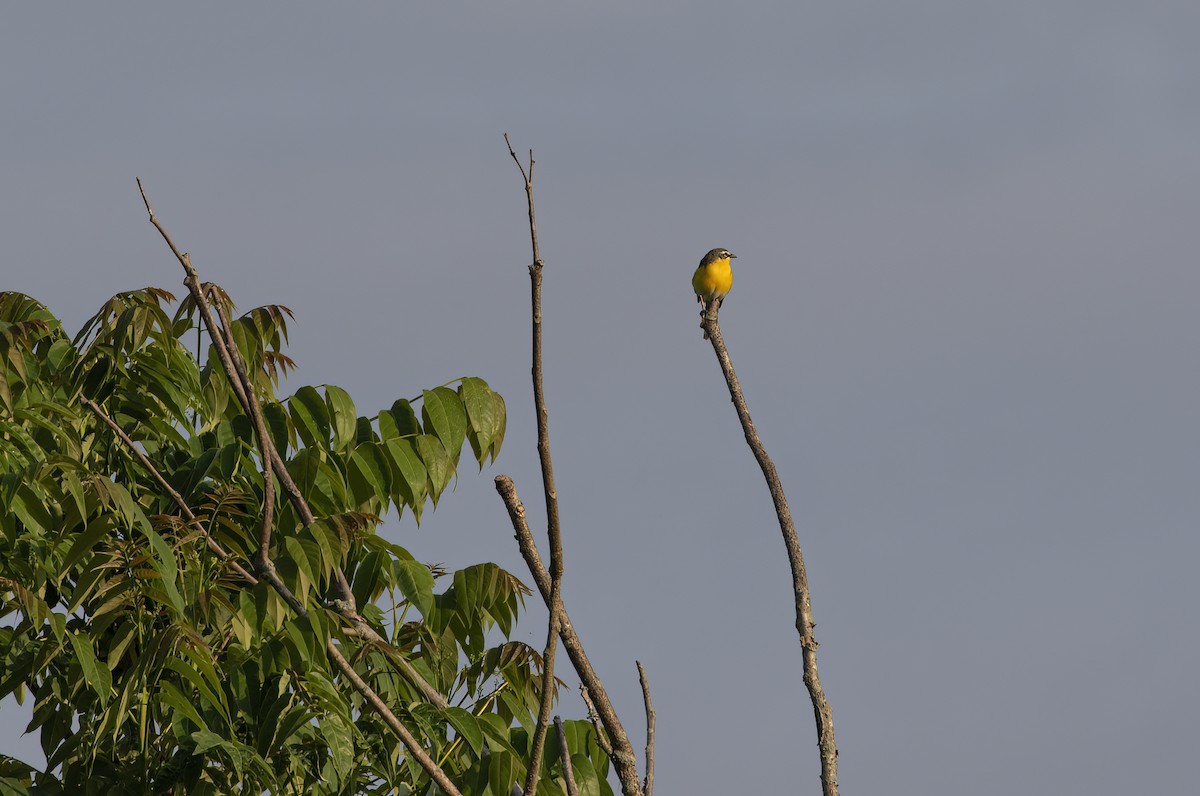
805,623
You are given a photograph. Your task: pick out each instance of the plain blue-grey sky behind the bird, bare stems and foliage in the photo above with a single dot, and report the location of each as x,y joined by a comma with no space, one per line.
964,319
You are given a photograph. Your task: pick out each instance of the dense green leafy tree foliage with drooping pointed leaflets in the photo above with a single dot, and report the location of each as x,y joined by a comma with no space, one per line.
154,667
